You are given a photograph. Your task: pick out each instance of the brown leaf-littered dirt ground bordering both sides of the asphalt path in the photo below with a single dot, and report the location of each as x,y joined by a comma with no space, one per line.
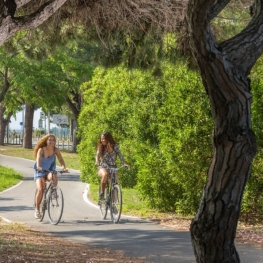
22,244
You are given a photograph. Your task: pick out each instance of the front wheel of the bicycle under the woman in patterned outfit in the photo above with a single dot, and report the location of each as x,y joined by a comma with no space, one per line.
116,203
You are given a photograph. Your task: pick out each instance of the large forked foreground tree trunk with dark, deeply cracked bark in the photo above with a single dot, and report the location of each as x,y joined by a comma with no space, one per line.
224,69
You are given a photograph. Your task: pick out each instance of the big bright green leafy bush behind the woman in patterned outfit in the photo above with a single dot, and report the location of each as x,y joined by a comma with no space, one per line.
163,127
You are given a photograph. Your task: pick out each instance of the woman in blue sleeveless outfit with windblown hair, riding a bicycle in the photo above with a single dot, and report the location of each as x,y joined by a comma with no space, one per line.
45,152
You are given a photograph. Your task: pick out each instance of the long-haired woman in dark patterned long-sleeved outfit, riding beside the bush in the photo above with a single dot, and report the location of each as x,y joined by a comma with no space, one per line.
107,152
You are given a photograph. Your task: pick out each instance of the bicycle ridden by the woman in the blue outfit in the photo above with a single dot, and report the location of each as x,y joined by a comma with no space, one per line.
52,201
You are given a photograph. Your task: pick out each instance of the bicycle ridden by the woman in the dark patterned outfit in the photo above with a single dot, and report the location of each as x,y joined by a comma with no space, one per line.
113,196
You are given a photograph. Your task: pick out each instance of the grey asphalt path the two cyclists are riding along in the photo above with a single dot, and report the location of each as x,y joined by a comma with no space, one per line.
81,222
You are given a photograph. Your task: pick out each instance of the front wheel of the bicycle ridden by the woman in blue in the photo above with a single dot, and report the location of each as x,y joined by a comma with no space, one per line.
55,205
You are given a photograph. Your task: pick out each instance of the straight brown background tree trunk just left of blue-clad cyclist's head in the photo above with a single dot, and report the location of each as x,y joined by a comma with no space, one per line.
28,126
